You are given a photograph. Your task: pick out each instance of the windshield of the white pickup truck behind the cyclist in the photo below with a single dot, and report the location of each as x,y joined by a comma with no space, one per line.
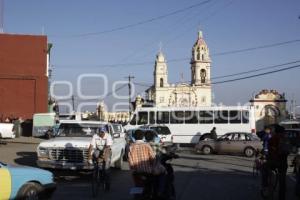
78,130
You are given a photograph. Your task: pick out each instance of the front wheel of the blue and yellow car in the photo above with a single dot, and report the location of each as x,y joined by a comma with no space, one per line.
30,191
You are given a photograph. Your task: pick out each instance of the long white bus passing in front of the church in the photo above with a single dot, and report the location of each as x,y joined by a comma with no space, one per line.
188,124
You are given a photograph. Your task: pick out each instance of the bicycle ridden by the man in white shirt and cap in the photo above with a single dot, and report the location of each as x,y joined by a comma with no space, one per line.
99,177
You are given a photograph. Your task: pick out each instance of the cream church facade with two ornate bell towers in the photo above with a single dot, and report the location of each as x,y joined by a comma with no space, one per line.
196,93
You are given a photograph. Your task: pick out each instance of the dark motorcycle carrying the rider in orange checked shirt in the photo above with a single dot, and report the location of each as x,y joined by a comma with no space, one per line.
149,184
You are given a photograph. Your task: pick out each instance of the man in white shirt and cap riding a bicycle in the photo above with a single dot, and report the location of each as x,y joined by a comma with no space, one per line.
100,149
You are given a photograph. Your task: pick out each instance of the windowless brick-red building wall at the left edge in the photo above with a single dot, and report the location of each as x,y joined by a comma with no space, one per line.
23,80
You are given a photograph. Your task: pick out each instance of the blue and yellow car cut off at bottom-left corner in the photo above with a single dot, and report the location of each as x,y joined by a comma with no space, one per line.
25,182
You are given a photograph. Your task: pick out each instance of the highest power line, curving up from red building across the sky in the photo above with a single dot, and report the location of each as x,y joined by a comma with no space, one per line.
137,23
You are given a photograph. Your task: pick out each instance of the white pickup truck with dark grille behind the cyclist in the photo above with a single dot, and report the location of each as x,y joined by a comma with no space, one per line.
69,149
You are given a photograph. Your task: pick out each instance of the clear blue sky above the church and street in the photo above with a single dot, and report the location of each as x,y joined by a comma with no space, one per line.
93,37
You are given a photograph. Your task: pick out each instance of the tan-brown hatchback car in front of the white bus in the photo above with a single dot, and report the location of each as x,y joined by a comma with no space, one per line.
231,143
